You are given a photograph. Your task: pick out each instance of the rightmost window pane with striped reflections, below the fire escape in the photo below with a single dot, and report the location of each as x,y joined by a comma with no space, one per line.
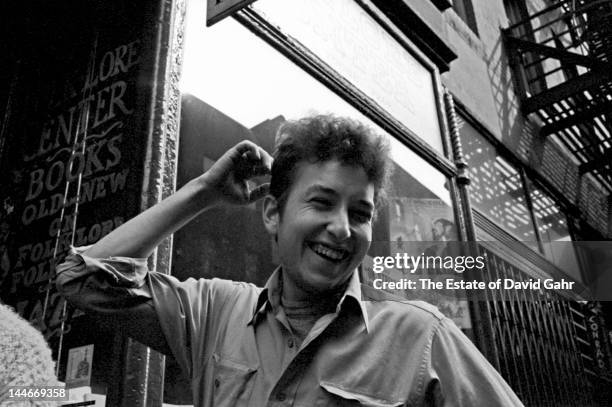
554,232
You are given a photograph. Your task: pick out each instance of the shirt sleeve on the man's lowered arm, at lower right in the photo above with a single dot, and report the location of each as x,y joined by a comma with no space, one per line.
461,376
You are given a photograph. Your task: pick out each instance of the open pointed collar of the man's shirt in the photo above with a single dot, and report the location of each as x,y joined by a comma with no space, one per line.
271,293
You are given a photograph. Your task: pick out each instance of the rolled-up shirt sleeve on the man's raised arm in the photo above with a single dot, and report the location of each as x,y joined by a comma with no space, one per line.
181,318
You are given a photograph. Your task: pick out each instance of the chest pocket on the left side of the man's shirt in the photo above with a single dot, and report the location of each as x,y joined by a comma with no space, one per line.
232,382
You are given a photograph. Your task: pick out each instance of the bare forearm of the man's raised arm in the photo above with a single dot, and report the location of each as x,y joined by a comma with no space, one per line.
140,235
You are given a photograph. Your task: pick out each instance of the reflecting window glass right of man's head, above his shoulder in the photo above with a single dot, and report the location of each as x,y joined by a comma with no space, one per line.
418,220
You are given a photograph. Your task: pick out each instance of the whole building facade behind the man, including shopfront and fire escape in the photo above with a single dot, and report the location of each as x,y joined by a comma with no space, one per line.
499,117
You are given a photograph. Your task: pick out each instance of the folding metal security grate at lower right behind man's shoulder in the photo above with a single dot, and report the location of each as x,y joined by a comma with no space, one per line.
537,342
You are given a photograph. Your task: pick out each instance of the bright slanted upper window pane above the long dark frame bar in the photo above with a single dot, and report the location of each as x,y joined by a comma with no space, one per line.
346,38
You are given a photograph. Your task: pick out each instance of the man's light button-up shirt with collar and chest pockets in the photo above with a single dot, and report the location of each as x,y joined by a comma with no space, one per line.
235,344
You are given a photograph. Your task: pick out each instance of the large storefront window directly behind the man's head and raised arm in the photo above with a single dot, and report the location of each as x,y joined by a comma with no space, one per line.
235,87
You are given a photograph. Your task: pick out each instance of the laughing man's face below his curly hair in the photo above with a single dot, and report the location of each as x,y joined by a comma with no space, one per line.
325,227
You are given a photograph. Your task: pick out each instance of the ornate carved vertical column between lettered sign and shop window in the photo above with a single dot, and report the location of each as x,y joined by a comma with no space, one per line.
143,369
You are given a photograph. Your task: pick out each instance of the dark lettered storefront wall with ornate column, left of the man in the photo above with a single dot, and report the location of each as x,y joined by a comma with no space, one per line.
89,103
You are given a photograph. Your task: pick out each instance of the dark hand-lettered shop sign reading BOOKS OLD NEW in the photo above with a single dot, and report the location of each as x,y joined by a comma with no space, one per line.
71,171
